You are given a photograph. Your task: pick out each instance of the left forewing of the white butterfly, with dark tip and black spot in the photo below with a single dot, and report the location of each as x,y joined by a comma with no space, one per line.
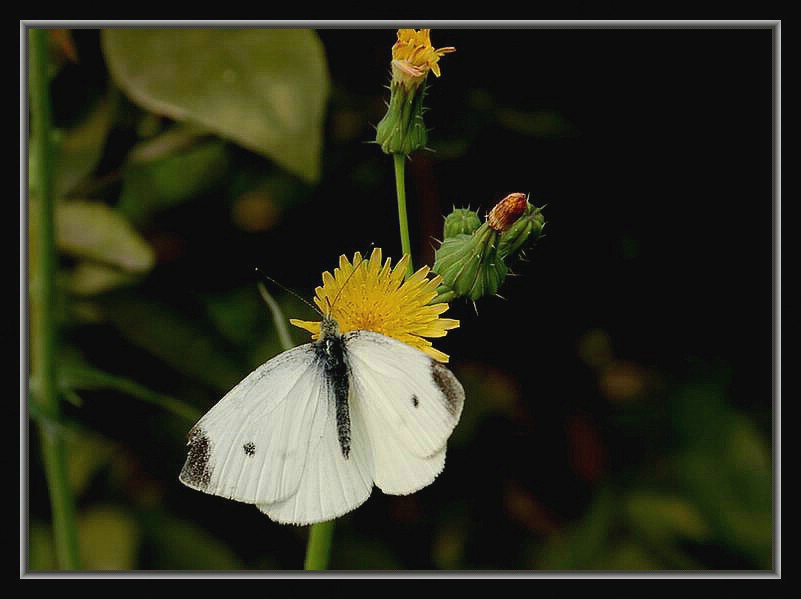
254,444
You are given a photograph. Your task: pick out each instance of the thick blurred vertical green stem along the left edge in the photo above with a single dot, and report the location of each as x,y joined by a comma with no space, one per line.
42,303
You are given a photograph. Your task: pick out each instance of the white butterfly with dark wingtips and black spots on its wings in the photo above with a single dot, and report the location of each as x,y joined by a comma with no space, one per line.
306,435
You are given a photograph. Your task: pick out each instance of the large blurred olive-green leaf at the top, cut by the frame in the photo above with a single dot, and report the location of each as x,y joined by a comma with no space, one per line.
265,89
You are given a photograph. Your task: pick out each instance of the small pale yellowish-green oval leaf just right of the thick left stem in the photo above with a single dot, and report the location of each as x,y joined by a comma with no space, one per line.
95,231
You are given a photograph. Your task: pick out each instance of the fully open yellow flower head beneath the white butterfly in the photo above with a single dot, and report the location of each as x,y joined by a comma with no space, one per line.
376,298
